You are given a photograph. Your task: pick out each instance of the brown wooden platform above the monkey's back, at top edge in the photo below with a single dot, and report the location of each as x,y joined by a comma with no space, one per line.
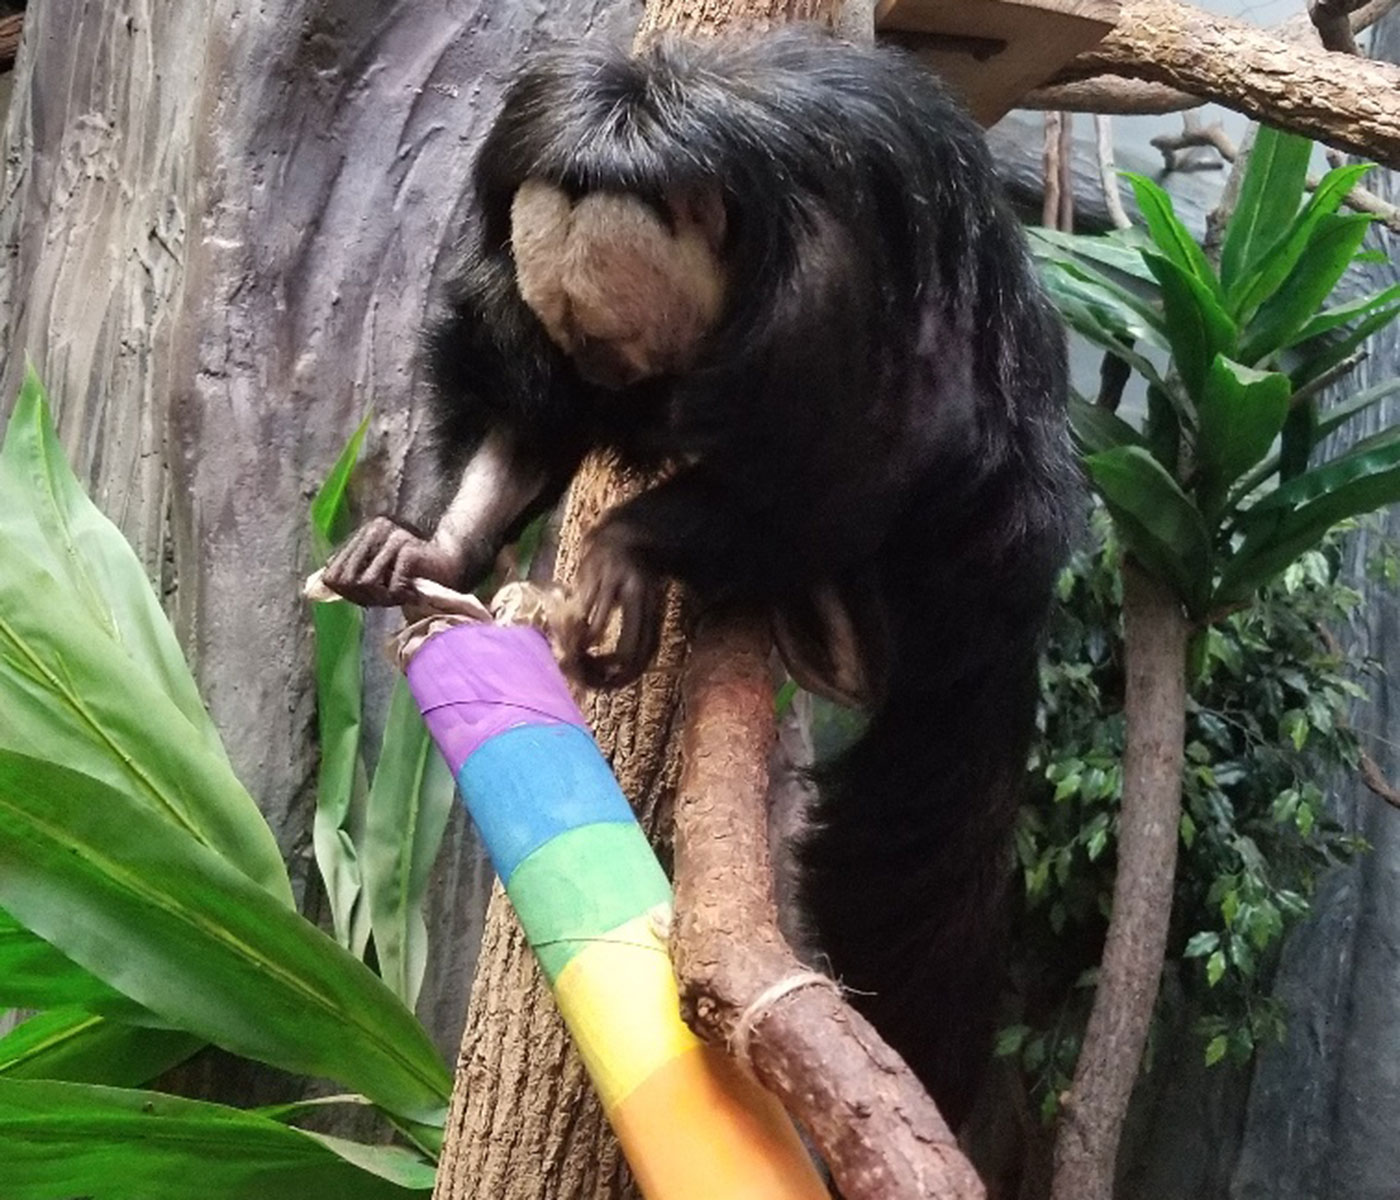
995,51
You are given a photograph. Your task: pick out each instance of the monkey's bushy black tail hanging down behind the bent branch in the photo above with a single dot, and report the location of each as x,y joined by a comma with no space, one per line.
906,869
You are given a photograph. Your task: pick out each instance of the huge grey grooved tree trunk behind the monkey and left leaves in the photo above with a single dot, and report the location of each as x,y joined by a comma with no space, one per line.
222,225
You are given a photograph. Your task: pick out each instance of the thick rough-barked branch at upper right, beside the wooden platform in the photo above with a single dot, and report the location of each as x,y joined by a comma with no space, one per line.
1340,100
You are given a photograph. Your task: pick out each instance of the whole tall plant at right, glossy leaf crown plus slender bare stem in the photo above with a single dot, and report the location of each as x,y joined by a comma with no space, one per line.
1213,495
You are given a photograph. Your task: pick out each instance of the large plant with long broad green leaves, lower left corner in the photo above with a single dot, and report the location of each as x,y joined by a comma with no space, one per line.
143,904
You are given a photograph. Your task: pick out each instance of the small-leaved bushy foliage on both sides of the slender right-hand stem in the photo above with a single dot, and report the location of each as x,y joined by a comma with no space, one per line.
1266,727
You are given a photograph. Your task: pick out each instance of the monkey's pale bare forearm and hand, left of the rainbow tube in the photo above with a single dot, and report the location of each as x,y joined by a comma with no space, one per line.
379,564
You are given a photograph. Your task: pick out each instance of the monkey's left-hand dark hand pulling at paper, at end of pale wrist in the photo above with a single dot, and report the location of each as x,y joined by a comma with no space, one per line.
383,558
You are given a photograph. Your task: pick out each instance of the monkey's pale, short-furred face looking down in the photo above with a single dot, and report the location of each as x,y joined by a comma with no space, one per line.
615,289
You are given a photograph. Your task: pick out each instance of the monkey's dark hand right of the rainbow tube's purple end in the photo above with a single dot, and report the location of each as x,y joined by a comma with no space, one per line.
612,580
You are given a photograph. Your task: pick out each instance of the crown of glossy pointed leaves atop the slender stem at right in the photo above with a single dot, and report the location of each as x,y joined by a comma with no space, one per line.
1213,492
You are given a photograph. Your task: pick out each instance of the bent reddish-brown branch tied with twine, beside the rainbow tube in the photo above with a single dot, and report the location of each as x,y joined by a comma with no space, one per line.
870,1118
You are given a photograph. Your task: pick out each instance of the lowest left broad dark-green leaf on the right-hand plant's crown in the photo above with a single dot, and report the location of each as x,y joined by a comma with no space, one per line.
1156,520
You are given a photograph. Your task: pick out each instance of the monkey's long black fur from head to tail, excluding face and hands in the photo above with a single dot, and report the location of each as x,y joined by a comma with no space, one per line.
881,410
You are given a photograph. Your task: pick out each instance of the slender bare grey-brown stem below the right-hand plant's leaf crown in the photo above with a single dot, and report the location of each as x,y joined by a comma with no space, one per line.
1156,634
